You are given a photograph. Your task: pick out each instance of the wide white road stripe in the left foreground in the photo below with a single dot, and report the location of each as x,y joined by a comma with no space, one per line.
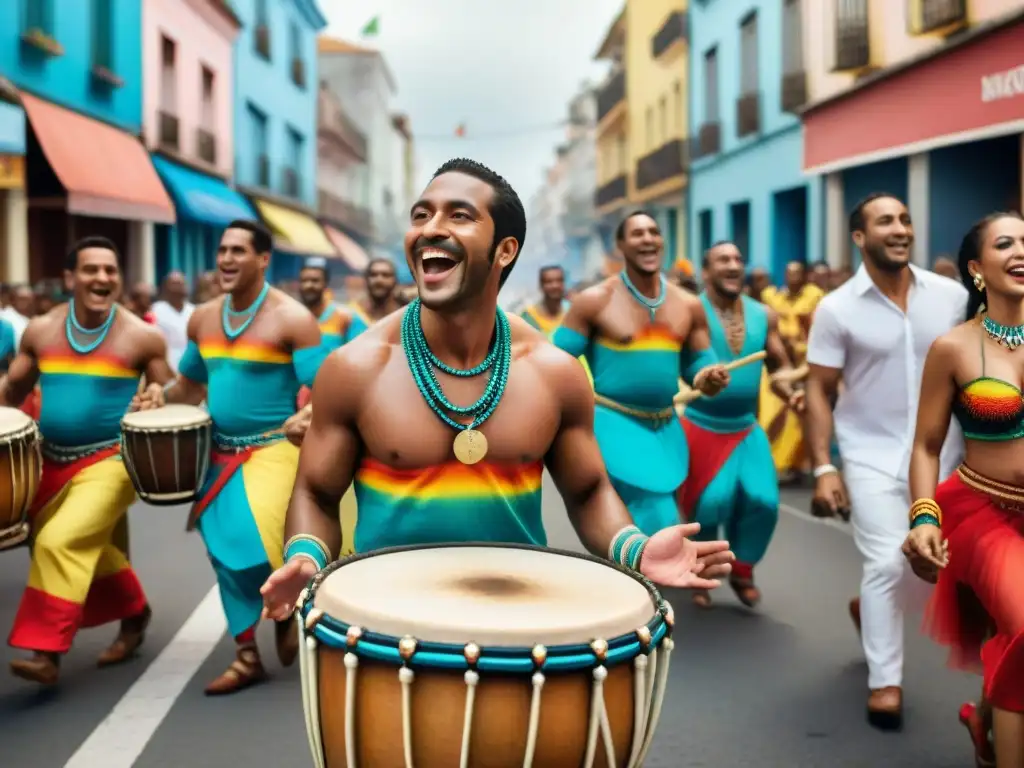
121,738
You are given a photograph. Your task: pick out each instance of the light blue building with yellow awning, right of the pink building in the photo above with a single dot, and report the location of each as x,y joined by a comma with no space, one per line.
276,96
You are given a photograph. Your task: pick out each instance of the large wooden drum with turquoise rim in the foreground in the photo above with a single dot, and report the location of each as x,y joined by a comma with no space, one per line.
482,657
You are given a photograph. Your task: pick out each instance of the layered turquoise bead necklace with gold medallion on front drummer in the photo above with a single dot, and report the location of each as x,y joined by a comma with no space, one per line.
471,445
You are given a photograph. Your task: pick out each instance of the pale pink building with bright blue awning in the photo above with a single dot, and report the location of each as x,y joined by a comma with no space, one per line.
188,69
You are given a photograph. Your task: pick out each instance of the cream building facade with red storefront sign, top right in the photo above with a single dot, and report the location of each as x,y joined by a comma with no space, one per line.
947,75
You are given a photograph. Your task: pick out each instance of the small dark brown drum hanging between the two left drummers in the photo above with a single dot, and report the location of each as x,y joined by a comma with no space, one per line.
167,453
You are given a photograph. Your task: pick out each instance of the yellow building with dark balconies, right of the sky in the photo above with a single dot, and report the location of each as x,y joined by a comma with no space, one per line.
643,147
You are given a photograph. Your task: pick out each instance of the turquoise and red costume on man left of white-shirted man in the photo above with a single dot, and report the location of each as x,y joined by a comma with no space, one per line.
733,481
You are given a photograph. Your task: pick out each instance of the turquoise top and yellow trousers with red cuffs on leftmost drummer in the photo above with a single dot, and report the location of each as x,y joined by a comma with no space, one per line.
80,576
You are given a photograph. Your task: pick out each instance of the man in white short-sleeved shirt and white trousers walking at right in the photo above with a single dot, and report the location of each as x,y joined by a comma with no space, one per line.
874,333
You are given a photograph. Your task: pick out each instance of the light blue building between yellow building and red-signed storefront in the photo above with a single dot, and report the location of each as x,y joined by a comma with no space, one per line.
747,183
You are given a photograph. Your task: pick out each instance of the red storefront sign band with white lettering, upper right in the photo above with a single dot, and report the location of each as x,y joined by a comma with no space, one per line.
970,93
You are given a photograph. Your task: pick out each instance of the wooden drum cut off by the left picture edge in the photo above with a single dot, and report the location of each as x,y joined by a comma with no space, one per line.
21,472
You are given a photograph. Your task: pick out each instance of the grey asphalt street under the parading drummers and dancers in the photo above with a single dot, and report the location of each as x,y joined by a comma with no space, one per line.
781,687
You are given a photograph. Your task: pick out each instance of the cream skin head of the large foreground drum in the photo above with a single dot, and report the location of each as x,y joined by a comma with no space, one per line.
490,596
